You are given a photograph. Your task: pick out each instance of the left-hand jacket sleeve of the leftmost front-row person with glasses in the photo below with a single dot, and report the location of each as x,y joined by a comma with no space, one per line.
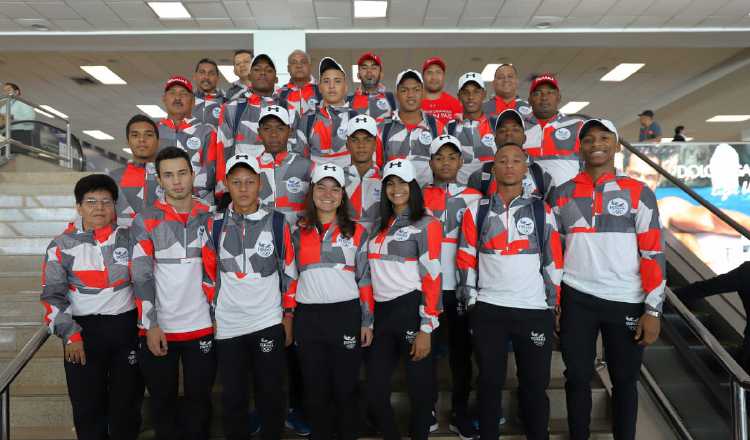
55,299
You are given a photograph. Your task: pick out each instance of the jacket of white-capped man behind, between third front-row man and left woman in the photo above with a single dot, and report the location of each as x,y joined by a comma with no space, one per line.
285,182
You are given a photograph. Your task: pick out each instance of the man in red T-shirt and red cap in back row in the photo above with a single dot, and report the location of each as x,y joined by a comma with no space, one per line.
437,102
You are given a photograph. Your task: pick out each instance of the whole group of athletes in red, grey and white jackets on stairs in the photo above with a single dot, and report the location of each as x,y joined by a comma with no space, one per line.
293,237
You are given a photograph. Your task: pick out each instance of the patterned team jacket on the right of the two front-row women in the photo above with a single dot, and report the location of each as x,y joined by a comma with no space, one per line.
406,257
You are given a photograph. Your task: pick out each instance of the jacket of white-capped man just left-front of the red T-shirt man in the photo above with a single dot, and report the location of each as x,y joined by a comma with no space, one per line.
412,143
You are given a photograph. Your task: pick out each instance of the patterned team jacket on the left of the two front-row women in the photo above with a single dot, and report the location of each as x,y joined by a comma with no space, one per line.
333,268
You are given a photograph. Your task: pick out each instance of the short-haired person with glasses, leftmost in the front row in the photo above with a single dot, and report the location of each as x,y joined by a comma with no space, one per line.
88,300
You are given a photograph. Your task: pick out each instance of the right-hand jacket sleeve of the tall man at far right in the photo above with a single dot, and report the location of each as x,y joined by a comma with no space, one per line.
651,249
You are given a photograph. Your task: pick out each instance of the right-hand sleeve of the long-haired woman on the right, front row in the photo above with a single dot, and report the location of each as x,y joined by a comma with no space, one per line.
429,244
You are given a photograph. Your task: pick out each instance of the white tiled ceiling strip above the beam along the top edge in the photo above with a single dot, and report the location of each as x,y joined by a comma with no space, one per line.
110,15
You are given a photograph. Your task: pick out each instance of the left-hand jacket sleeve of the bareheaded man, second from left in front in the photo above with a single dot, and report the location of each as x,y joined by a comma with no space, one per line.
142,273
